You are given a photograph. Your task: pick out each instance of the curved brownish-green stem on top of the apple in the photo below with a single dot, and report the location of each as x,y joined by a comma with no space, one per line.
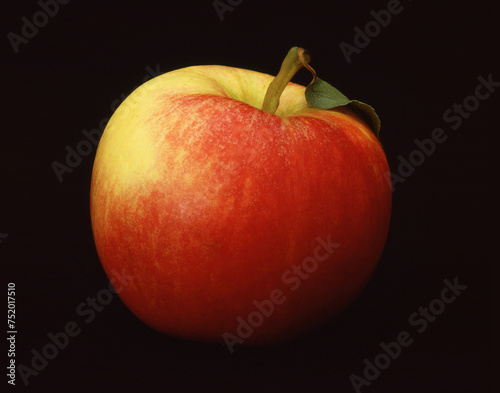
296,59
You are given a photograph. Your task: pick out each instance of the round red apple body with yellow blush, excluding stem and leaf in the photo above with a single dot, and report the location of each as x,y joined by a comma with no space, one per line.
207,200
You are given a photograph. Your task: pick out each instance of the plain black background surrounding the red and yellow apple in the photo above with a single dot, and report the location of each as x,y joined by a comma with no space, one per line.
89,54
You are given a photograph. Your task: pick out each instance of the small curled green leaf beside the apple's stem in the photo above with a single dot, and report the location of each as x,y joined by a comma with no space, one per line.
322,95
